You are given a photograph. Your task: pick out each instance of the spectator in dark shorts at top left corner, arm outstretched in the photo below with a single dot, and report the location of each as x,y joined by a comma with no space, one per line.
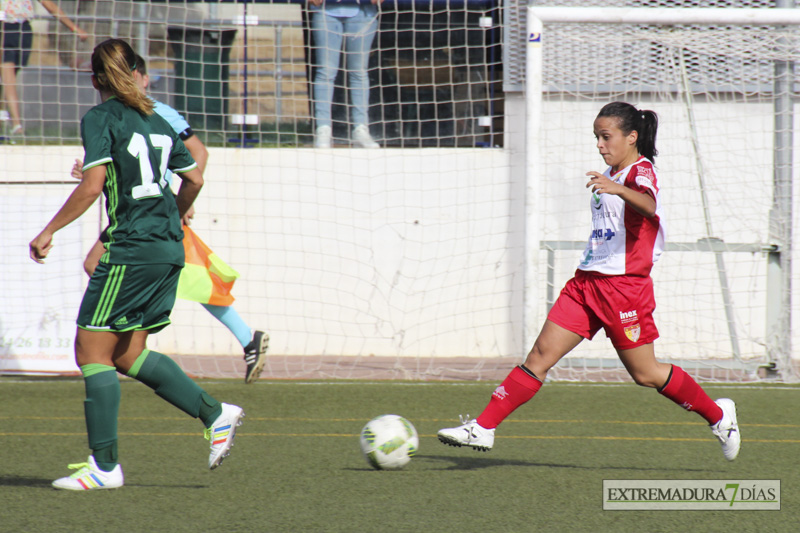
16,40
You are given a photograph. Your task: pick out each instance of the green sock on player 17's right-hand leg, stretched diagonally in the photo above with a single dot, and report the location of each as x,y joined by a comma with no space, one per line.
169,381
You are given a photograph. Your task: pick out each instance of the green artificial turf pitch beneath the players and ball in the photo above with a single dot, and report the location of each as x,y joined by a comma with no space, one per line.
297,465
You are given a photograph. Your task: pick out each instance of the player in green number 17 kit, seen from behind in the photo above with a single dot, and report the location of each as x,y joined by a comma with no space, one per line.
132,291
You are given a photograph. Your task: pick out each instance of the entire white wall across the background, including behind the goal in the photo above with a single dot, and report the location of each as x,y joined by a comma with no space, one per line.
413,252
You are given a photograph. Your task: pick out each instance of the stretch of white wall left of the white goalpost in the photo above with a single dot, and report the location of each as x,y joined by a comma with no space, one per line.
341,252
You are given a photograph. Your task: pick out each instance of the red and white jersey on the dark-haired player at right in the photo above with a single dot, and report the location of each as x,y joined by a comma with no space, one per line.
622,240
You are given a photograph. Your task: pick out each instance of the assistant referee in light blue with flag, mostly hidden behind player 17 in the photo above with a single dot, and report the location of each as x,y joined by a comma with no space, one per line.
254,342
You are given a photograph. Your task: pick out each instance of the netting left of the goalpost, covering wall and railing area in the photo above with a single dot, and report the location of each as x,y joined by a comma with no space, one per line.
397,262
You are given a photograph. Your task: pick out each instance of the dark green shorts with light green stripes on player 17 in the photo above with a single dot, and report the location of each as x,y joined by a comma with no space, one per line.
129,297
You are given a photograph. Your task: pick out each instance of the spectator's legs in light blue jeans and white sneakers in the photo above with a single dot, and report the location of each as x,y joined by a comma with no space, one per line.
354,23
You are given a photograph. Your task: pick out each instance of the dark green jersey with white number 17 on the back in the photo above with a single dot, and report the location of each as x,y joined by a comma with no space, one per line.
143,222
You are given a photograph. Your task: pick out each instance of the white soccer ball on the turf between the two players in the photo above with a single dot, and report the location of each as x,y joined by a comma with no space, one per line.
389,442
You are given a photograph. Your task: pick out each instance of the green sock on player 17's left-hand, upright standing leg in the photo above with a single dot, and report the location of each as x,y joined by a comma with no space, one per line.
101,409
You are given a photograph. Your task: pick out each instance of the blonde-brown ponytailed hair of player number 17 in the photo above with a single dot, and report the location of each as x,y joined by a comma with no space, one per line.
113,62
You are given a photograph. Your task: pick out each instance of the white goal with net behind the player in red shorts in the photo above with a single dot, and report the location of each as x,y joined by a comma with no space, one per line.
722,82
